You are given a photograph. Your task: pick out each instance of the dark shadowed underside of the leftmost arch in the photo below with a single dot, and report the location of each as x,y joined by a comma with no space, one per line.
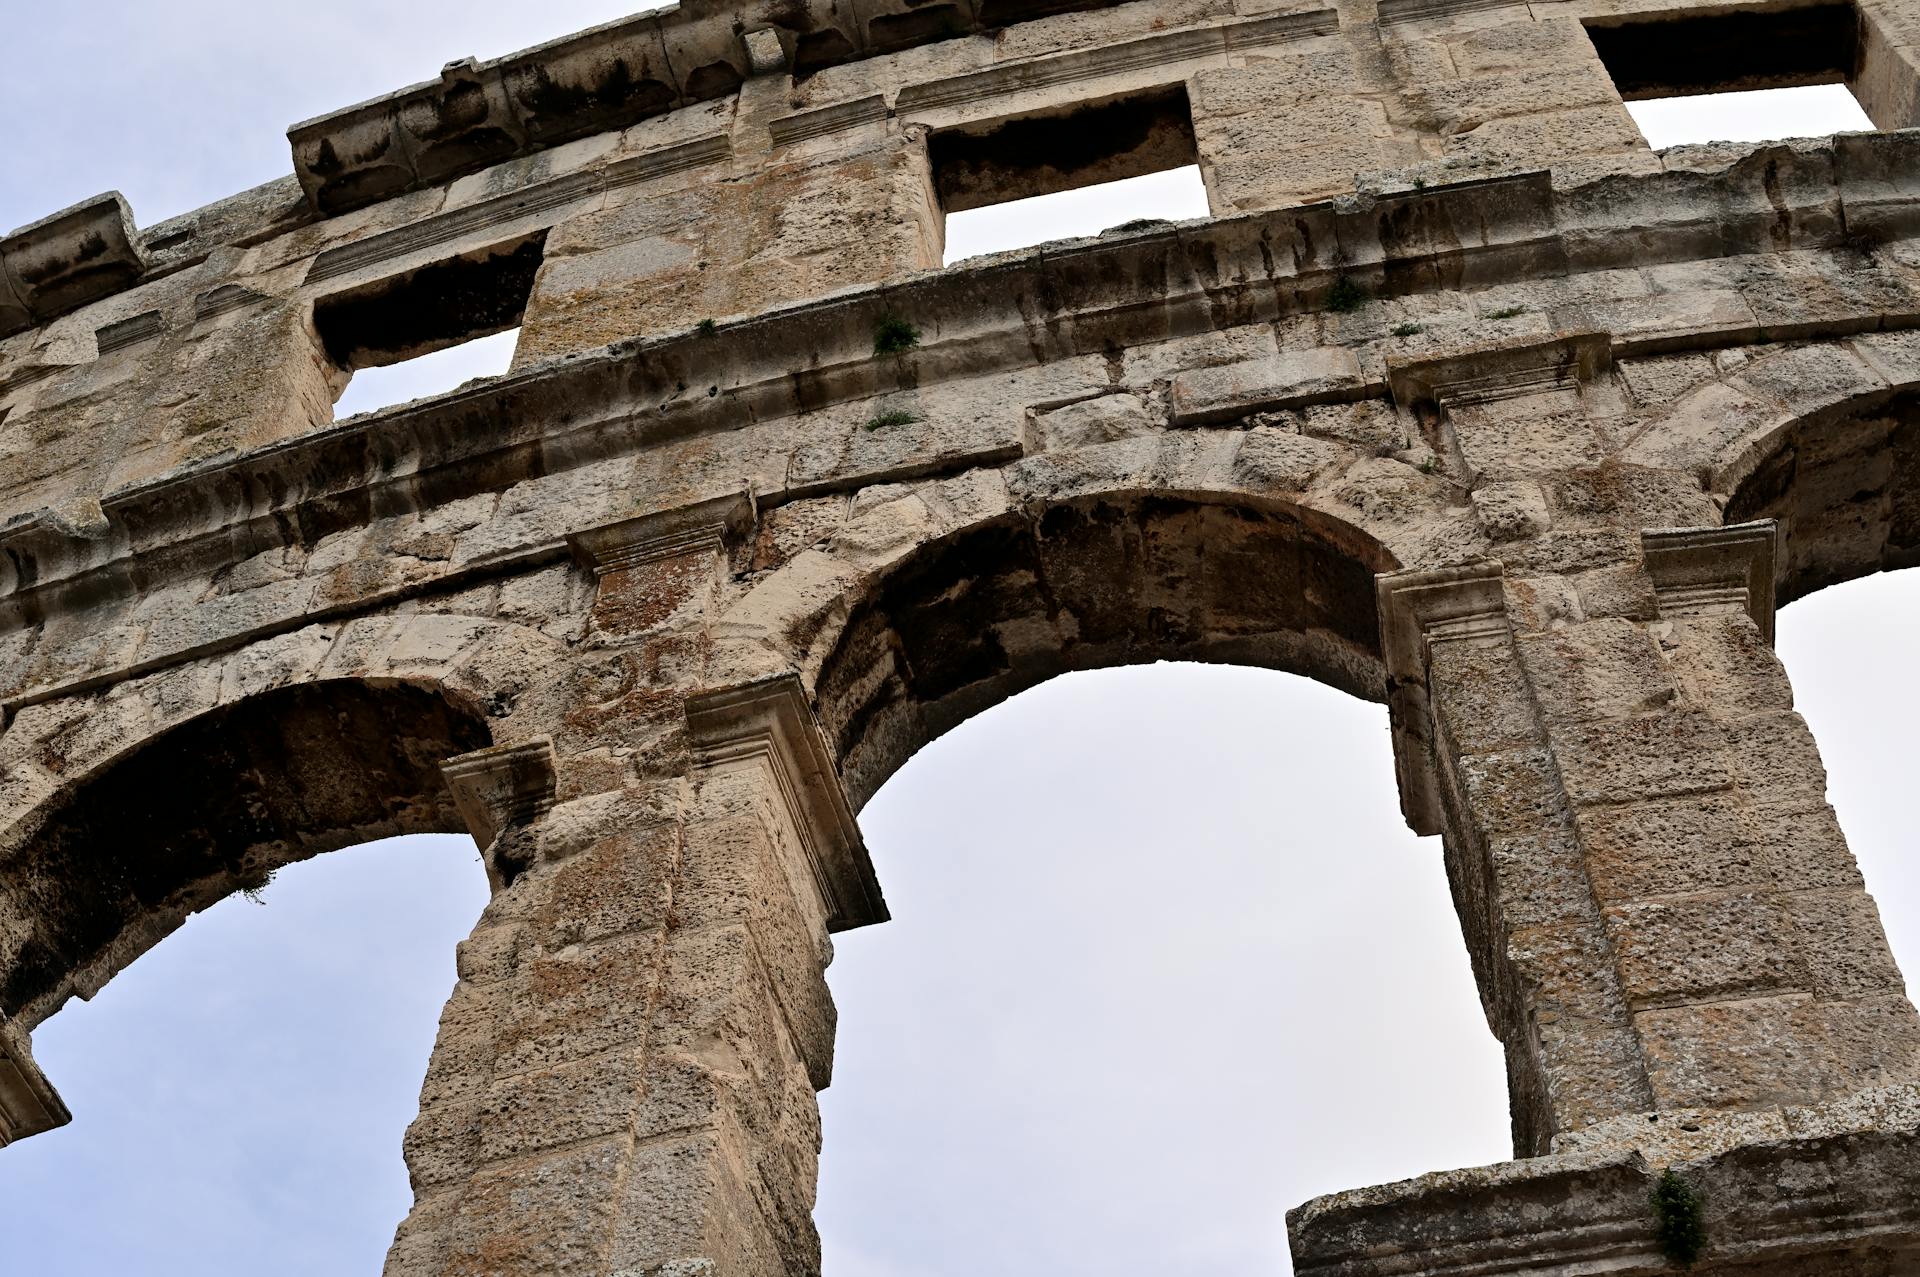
126,854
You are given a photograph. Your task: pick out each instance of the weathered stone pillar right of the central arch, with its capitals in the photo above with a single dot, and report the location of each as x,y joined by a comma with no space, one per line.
1662,907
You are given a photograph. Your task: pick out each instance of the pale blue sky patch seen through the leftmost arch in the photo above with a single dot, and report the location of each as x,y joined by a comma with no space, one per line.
241,1092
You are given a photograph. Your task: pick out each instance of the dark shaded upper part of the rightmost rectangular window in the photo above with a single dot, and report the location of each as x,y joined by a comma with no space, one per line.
1729,53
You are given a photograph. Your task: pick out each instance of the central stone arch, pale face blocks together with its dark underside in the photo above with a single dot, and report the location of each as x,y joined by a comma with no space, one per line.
1278,539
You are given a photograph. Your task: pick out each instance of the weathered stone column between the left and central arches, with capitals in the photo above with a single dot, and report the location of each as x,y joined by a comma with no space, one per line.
625,1076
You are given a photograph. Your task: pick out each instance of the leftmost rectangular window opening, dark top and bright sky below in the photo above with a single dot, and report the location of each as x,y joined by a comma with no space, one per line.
429,331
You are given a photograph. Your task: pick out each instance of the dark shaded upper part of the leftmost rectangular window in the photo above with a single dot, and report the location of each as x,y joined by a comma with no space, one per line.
433,308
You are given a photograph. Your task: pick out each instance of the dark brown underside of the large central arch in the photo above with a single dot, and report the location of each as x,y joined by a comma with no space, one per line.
990,612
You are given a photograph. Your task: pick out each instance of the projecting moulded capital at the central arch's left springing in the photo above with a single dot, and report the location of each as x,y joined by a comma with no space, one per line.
773,721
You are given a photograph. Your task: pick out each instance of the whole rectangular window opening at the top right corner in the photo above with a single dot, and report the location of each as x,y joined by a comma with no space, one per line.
1746,76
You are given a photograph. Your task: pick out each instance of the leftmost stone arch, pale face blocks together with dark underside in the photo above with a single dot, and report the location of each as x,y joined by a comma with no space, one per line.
160,796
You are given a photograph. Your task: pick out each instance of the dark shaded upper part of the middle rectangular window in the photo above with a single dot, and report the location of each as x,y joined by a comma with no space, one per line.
1061,151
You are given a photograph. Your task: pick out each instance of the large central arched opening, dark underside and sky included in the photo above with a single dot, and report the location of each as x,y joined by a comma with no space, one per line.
1164,957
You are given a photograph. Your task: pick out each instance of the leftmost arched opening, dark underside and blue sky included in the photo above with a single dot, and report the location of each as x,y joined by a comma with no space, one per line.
181,825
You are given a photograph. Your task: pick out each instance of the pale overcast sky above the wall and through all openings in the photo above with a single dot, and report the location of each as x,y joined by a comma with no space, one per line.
1164,959
